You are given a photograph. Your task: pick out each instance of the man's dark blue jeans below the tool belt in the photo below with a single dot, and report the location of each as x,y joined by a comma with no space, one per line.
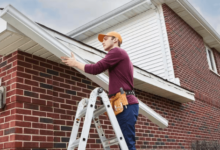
127,120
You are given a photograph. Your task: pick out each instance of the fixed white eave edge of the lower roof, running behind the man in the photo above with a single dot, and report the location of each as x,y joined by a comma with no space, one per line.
165,89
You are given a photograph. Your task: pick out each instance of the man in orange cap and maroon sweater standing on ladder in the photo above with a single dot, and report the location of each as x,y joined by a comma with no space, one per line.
120,70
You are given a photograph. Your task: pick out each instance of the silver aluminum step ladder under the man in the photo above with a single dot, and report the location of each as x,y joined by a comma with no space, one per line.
86,107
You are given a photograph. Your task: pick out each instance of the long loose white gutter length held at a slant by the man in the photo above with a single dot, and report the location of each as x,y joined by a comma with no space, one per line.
35,32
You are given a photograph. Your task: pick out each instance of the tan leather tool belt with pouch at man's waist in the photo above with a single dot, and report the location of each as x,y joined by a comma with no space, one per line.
119,100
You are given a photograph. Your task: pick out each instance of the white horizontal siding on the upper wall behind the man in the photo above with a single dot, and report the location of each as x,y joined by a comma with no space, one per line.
142,40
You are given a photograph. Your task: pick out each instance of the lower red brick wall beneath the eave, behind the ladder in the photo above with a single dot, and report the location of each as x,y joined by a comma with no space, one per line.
42,100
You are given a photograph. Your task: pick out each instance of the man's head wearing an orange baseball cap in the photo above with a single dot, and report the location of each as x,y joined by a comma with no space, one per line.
110,40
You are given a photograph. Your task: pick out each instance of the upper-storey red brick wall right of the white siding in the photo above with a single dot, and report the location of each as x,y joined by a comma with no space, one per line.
190,60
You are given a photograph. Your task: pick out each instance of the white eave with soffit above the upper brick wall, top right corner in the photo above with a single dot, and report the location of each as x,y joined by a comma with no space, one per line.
192,17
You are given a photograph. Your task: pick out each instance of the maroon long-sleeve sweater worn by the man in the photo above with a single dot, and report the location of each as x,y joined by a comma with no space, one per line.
120,70
